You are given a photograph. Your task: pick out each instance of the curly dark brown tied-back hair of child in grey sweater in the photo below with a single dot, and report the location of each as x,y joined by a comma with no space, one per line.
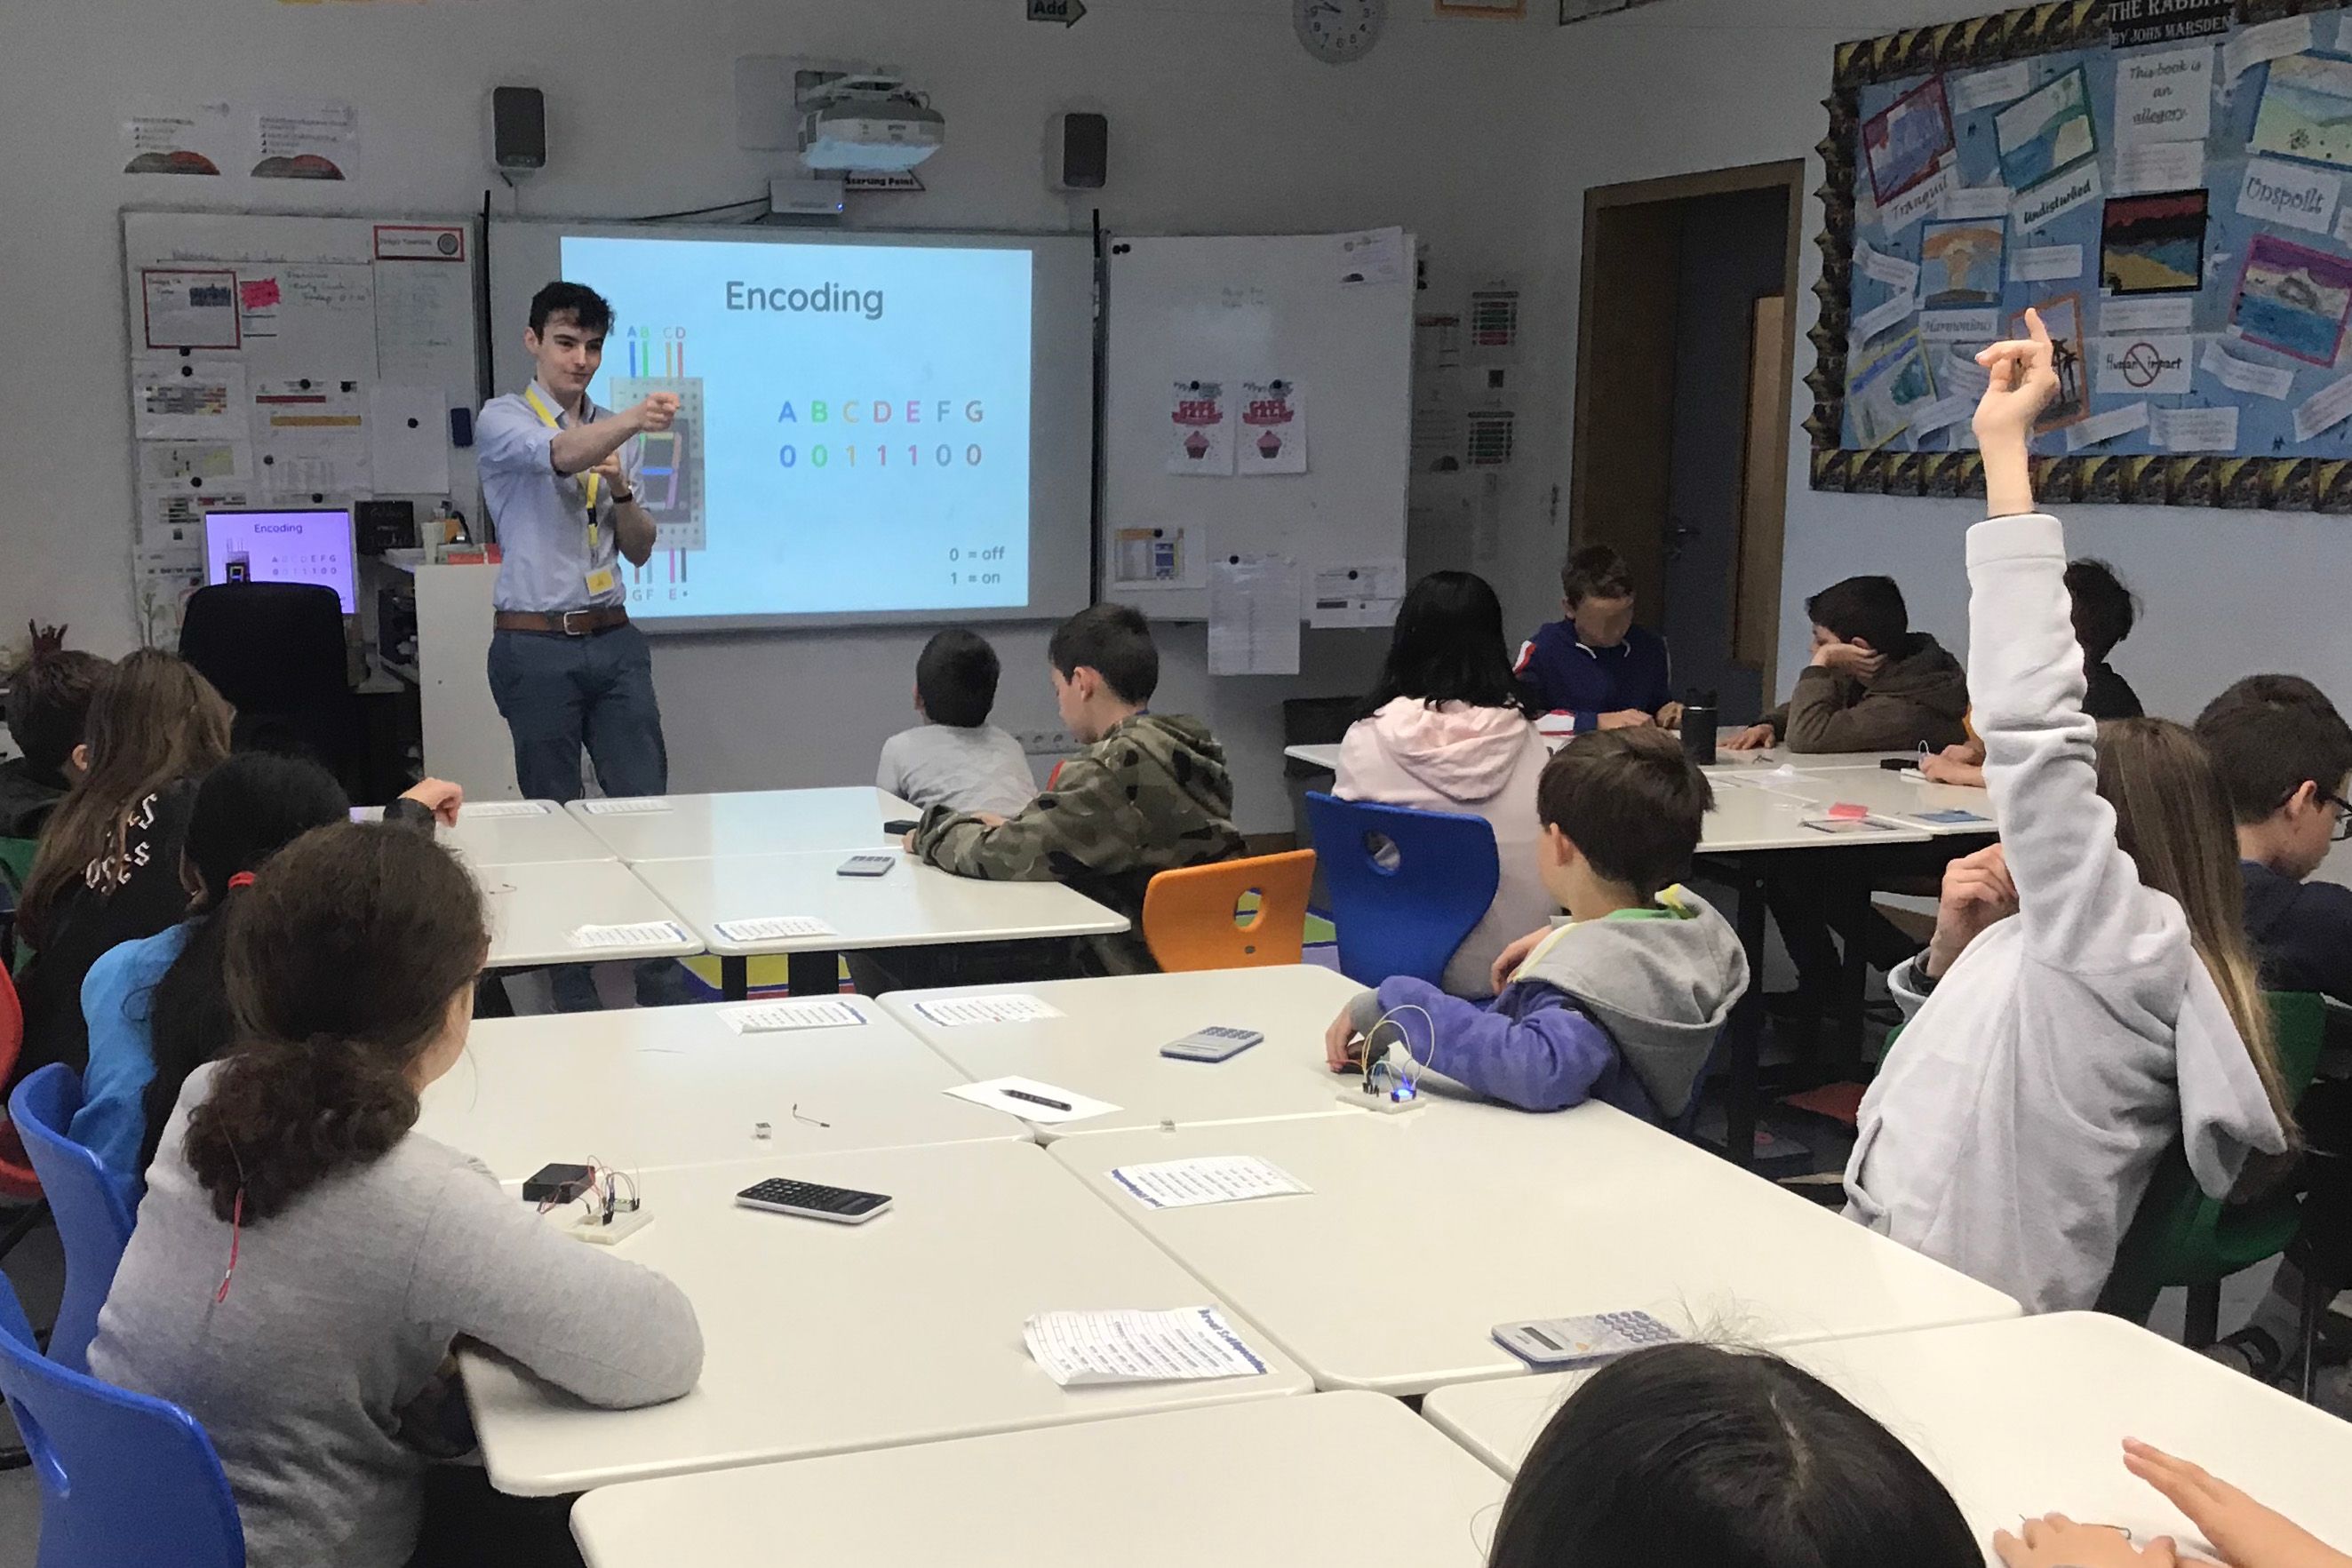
342,965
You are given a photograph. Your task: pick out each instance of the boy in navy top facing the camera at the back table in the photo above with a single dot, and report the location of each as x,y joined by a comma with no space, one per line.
1596,664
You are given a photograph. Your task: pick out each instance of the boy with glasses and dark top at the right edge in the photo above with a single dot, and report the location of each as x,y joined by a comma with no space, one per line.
2285,756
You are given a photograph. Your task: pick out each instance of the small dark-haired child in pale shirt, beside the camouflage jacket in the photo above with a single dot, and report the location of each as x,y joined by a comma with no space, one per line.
956,758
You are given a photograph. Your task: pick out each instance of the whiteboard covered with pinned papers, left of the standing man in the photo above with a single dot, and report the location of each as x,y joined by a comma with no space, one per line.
288,361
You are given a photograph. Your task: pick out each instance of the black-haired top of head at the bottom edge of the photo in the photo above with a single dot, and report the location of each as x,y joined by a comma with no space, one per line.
1690,1454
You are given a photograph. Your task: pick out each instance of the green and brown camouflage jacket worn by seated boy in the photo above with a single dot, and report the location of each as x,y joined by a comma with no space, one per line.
1147,798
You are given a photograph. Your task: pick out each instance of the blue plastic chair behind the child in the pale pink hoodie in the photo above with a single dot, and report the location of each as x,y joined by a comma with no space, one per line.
1405,885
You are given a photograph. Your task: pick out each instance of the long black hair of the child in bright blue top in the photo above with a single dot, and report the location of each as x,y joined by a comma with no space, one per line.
246,812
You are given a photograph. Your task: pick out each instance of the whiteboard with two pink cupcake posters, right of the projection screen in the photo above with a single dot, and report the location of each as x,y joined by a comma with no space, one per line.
1252,309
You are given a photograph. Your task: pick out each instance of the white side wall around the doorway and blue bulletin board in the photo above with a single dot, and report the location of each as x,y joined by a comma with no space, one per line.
1711,83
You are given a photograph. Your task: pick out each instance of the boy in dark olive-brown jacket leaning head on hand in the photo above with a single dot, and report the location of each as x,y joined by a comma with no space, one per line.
1873,683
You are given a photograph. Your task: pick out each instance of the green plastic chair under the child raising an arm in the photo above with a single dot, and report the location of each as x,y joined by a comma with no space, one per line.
2181,1238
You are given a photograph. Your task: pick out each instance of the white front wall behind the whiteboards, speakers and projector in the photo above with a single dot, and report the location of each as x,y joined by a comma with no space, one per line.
1220,123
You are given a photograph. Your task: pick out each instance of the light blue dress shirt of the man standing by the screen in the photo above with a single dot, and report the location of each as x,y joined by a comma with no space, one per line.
544,516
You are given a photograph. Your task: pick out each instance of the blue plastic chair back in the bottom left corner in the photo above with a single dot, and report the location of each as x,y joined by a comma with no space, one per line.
126,1482
